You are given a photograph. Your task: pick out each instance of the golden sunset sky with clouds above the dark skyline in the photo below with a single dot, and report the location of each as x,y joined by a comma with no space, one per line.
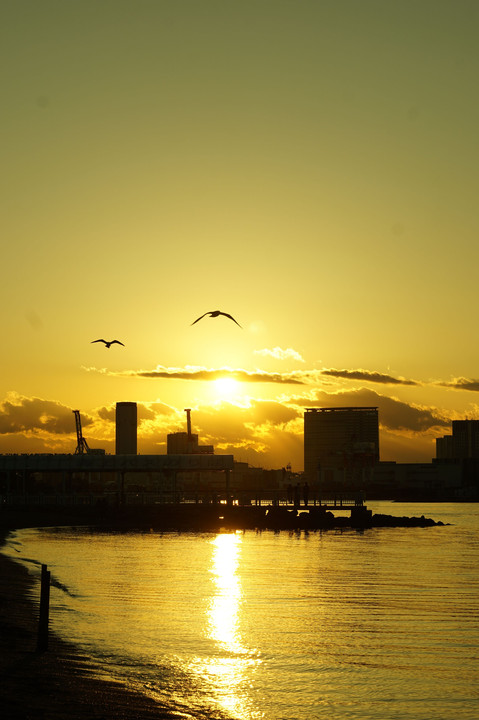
310,167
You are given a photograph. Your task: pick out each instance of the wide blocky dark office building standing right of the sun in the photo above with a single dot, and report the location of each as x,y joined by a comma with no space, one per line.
343,438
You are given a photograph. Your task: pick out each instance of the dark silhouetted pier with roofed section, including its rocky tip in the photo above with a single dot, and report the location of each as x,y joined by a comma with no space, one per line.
214,506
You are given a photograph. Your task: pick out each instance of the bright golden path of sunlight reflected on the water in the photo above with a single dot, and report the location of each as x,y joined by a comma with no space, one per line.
229,671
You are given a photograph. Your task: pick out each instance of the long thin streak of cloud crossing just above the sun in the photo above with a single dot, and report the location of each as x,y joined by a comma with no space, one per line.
201,373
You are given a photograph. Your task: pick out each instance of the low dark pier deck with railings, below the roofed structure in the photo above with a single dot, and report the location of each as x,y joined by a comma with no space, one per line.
184,511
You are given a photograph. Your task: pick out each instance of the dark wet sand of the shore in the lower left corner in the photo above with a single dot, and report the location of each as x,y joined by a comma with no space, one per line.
55,684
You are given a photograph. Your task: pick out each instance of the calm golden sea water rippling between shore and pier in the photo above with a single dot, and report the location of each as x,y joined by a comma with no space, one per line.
346,625
